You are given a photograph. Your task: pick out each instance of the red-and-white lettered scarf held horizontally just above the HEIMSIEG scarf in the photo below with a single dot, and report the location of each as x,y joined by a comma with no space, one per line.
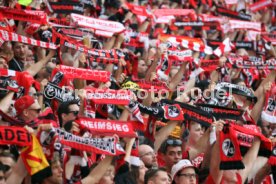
108,96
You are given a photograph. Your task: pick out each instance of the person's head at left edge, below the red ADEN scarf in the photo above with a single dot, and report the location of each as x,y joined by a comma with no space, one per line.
7,160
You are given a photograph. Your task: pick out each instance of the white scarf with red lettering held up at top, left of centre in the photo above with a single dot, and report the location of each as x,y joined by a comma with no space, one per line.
99,26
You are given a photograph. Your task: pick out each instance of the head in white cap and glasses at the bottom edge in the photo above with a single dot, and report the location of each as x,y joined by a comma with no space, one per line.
183,172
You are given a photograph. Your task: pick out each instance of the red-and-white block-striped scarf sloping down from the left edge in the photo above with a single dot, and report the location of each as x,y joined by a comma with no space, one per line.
10,36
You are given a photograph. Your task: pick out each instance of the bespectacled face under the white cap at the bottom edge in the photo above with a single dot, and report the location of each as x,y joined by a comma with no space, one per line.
186,176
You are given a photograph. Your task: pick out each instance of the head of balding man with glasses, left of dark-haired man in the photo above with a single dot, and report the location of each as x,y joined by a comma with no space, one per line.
147,155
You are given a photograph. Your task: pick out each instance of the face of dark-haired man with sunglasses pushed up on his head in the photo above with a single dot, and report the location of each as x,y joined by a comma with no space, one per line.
172,156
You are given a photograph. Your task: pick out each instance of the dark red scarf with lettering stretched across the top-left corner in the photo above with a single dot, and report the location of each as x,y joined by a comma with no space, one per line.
38,17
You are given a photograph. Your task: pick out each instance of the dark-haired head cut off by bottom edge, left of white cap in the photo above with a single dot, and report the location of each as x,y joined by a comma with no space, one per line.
157,176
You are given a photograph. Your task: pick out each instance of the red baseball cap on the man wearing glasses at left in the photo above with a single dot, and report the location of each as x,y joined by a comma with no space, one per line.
24,103
